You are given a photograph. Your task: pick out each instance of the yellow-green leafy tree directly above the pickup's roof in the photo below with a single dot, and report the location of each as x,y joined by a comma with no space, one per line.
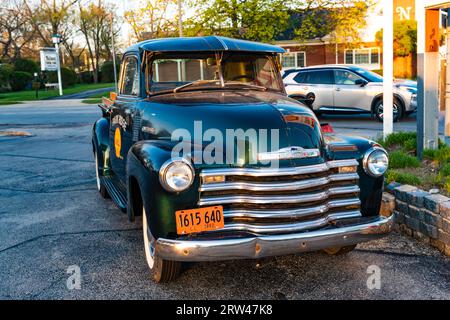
259,20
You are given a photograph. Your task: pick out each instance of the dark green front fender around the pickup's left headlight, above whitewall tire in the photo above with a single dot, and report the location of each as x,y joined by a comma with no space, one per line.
144,161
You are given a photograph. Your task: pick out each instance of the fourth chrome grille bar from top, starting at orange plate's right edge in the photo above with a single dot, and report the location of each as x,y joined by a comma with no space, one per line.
291,213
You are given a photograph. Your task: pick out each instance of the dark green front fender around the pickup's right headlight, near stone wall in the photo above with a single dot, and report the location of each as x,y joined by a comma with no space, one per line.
343,147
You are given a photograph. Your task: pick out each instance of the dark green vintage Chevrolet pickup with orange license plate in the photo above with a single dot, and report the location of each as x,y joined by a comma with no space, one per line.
202,141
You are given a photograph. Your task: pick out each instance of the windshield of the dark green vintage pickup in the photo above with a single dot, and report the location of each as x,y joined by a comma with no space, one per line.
178,72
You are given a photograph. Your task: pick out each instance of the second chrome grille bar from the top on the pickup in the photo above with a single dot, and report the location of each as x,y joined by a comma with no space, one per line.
278,186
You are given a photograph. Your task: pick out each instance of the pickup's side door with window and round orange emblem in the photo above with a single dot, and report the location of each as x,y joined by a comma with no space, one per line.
121,128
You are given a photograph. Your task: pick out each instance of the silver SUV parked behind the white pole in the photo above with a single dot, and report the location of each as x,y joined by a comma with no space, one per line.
348,88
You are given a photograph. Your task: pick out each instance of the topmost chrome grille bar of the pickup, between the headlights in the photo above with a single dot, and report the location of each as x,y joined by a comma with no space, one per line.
271,172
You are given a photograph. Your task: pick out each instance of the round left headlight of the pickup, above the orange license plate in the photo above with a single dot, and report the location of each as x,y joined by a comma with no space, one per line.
176,175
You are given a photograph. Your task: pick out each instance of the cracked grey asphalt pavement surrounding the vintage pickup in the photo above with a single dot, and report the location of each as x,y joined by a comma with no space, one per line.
52,218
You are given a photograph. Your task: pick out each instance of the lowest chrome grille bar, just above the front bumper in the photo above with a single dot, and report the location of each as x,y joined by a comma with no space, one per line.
288,227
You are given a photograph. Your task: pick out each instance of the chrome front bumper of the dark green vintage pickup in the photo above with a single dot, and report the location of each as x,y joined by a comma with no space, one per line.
272,245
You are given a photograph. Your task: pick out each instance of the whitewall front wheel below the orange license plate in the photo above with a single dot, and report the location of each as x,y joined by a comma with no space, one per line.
162,270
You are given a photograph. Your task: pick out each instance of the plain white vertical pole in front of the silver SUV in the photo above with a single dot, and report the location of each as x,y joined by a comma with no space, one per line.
388,67
